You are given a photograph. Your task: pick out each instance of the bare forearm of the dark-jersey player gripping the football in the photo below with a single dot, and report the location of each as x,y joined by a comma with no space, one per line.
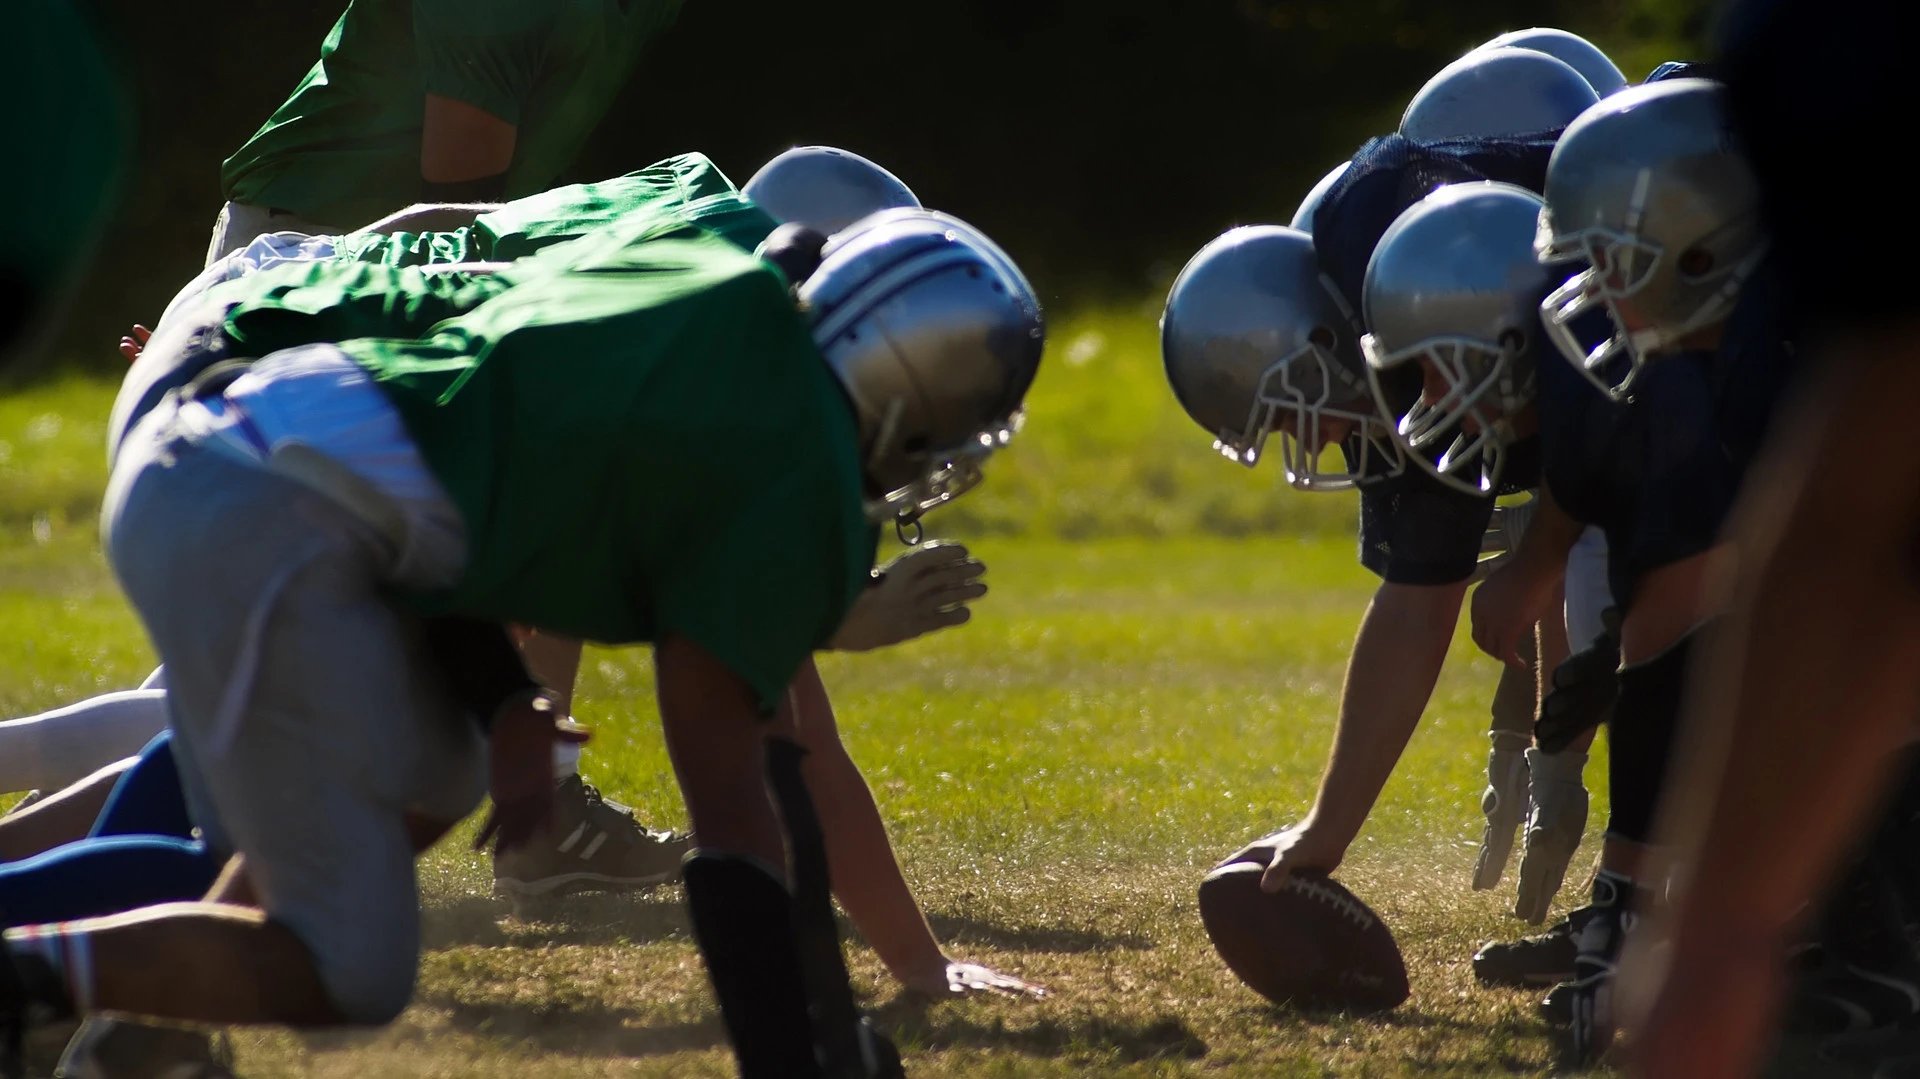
1397,659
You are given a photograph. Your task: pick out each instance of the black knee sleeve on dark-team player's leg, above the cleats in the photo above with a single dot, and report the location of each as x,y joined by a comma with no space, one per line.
1643,734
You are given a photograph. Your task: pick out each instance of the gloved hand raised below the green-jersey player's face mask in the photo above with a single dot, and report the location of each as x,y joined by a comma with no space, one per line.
928,588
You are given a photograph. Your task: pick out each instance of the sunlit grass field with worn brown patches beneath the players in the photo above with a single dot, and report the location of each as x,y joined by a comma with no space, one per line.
1151,683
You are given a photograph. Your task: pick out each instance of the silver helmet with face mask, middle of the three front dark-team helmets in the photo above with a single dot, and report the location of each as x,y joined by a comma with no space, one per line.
1454,287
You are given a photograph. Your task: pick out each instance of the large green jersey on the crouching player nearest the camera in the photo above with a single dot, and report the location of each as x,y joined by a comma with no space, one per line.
644,443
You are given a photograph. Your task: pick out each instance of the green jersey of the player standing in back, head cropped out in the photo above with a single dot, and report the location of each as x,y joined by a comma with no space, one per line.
347,147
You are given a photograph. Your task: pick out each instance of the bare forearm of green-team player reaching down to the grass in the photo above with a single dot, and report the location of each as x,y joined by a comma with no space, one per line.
867,876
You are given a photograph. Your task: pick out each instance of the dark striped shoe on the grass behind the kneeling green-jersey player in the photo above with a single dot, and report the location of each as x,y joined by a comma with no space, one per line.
596,846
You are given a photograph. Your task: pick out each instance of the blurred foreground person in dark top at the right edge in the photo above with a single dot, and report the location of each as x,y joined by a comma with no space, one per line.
1810,690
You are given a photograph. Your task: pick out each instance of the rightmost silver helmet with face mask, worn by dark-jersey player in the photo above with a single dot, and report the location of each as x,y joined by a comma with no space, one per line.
1654,195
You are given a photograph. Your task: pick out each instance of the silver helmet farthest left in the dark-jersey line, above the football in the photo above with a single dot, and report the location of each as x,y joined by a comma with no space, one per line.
1257,343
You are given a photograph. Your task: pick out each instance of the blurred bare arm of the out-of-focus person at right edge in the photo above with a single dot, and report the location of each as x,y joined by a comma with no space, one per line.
1812,686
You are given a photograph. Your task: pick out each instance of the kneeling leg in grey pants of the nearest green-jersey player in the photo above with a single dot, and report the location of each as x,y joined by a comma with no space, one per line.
308,775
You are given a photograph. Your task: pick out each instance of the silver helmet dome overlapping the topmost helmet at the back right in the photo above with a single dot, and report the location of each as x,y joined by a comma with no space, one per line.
1497,91
